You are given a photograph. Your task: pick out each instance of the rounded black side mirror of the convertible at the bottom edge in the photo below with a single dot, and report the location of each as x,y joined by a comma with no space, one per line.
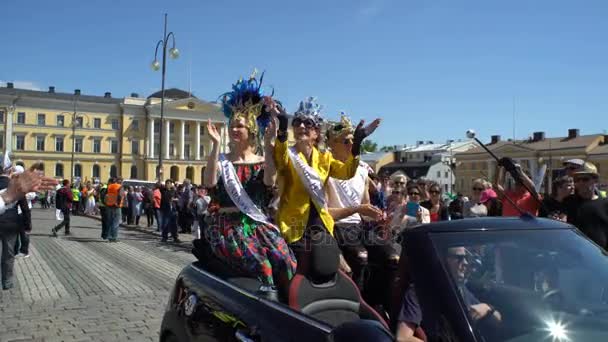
360,331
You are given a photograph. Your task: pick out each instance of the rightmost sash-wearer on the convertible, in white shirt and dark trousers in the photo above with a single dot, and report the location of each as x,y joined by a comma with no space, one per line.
349,204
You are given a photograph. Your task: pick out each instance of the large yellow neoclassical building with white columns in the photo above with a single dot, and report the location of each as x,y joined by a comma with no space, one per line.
109,136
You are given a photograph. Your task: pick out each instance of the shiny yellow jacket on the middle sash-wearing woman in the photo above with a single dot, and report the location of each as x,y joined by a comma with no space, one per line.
294,206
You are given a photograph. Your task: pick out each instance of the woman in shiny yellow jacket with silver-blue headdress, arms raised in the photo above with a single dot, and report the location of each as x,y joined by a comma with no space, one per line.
305,170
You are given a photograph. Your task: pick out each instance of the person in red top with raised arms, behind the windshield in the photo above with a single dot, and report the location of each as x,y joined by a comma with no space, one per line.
518,194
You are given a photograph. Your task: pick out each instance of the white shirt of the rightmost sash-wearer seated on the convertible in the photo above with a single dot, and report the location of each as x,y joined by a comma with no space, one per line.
336,197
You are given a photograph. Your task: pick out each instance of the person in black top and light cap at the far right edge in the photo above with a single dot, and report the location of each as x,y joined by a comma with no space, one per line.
585,209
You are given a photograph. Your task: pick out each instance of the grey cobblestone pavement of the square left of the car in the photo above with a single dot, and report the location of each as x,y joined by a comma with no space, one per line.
81,288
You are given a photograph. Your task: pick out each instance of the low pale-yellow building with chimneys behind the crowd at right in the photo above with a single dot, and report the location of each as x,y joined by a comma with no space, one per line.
534,155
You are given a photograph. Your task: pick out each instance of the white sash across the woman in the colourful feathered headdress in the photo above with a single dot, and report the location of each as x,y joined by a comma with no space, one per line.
238,195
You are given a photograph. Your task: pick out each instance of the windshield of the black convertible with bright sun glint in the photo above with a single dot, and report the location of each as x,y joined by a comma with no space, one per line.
529,285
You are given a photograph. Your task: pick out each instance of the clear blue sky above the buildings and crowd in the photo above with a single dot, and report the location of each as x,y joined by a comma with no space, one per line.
430,68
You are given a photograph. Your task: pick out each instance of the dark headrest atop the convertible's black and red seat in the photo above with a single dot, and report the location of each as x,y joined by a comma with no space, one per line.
324,257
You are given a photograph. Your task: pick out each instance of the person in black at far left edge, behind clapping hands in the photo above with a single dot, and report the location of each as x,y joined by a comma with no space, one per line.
11,224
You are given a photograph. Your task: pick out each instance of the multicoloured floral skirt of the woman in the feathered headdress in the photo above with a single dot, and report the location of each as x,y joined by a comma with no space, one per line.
252,247
